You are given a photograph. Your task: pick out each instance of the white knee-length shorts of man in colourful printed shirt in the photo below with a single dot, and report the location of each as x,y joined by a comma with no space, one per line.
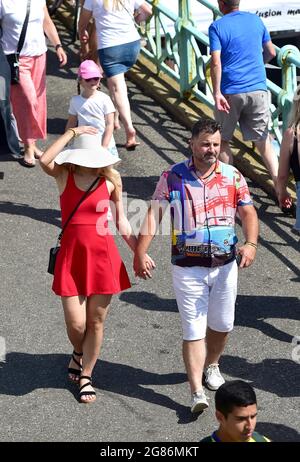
205,297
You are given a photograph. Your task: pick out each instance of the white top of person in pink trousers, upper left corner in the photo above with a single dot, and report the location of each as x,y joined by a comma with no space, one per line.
12,16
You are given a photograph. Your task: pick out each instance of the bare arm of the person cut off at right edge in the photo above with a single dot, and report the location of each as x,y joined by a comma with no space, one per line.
284,165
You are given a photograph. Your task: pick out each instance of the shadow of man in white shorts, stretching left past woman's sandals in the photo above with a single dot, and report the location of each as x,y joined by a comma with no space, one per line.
23,373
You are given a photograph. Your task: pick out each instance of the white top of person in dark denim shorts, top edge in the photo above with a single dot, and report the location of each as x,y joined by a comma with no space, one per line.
114,27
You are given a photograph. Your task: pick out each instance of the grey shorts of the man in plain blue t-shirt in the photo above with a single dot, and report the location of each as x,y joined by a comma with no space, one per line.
251,110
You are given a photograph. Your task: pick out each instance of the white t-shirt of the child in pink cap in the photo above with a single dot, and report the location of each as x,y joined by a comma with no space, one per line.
92,111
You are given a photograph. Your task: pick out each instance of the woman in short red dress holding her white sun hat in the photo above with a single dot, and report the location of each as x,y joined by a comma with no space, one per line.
89,269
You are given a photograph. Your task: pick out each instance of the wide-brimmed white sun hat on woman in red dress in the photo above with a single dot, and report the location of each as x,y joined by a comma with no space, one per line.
86,150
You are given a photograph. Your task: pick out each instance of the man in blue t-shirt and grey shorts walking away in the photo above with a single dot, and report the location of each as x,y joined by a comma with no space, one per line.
240,45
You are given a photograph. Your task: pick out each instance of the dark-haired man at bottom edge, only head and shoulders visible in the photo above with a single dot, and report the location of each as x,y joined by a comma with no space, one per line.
236,412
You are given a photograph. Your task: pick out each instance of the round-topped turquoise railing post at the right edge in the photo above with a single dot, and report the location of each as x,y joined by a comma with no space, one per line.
289,80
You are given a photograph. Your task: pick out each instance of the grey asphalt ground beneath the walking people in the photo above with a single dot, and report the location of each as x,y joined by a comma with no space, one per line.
142,390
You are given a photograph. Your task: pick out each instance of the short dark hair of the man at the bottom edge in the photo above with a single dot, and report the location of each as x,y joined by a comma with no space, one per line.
235,393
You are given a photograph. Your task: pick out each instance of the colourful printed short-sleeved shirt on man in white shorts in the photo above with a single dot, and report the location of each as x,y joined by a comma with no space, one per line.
202,212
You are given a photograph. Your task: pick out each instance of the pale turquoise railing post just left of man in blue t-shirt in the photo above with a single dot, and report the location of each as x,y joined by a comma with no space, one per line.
186,52
